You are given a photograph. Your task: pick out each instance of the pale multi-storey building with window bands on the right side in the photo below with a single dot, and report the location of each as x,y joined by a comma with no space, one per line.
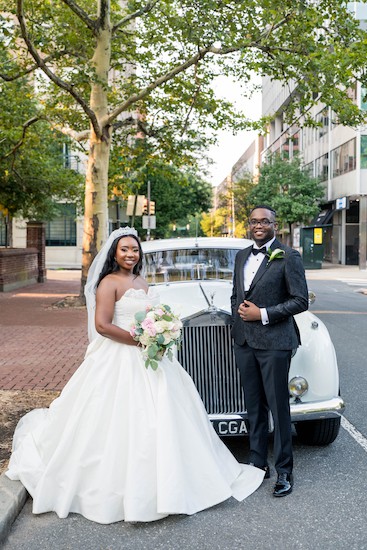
335,154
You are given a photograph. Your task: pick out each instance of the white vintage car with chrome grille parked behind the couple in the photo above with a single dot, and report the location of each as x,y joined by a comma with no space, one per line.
195,278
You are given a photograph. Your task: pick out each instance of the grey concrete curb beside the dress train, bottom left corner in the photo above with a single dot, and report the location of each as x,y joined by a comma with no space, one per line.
12,499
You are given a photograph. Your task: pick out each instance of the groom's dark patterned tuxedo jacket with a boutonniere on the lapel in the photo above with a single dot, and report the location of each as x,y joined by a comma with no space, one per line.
280,287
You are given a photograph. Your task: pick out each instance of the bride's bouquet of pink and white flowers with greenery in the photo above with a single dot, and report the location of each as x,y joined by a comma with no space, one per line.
157,329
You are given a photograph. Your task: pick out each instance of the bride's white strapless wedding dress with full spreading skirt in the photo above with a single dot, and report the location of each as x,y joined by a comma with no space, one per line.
123,442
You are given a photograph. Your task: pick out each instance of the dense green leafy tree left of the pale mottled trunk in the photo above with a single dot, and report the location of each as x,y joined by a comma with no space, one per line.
33,176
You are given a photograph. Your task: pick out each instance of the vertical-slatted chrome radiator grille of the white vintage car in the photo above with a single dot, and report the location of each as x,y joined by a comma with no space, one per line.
207,355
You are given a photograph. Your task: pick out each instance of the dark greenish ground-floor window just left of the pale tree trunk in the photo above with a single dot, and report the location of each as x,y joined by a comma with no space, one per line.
61,231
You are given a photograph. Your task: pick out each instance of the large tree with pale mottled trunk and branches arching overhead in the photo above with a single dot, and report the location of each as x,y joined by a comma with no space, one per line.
159,58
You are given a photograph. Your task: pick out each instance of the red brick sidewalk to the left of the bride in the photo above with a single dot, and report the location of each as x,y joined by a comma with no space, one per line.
41,346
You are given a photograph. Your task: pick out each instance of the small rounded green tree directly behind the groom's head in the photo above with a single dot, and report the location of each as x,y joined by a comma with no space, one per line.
284,185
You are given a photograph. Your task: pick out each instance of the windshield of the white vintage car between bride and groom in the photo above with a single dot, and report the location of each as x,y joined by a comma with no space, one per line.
189,264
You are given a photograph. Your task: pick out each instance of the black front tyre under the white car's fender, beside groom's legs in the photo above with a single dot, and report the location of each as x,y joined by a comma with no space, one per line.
318,432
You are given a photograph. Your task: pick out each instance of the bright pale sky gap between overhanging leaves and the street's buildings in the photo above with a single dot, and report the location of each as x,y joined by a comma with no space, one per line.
230,147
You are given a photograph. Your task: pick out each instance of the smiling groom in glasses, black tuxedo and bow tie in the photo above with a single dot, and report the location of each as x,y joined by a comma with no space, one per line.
269,288
